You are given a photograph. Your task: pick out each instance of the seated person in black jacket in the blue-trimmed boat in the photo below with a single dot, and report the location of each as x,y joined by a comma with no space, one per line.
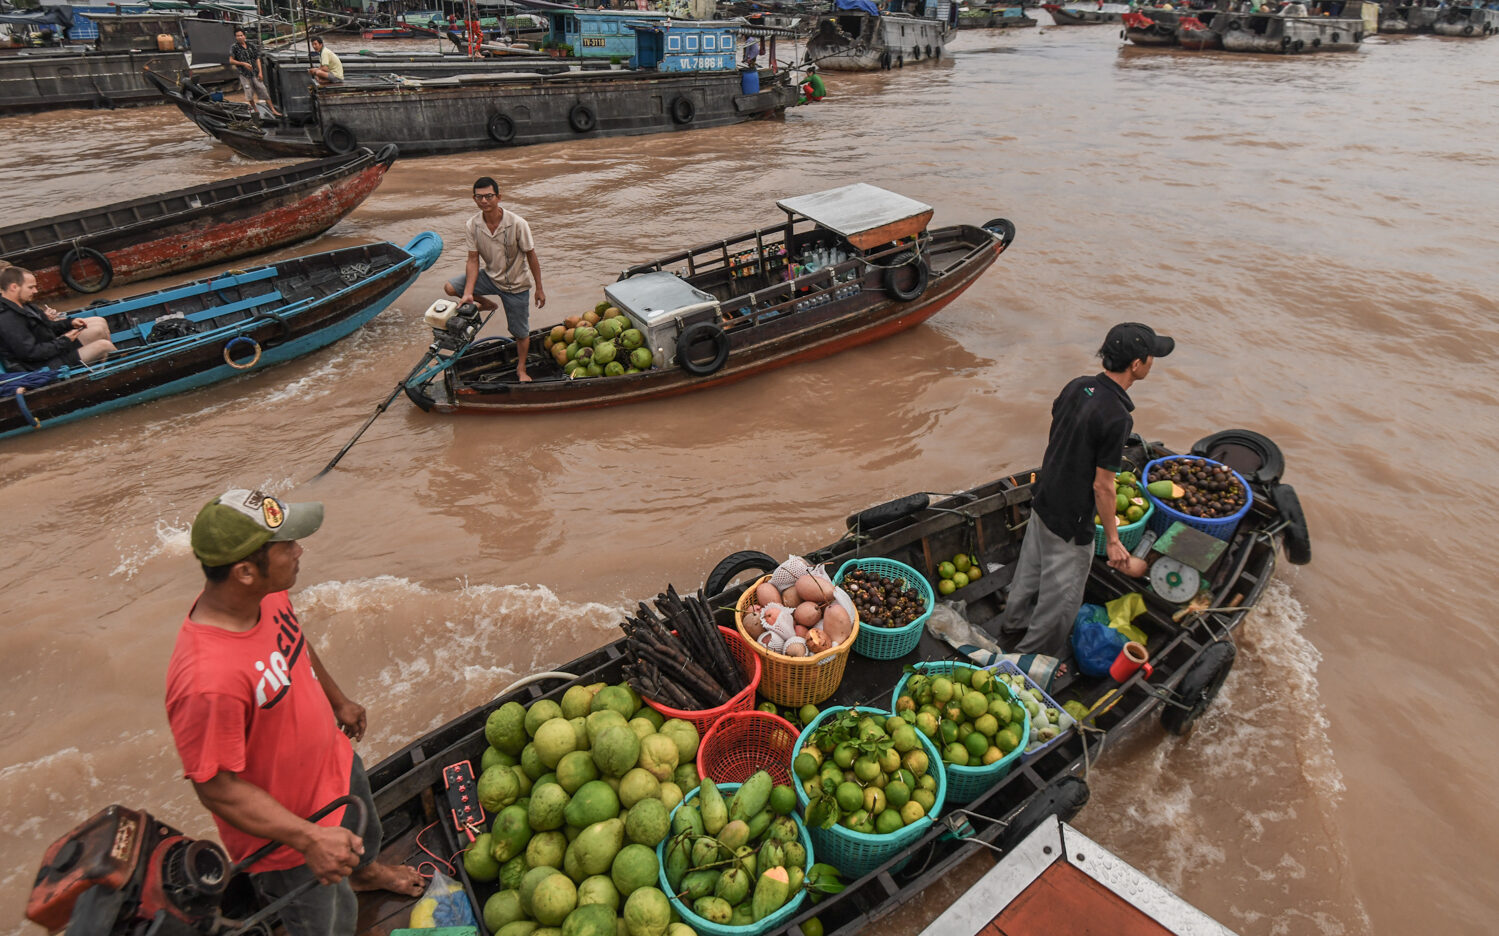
35,337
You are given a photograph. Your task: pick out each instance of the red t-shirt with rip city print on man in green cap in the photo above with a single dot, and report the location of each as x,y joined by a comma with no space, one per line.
250,703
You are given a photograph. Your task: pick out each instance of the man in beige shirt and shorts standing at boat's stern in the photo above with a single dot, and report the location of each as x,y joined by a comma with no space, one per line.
501,262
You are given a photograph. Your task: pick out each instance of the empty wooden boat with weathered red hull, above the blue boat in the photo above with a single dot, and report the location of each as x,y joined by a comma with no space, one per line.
130,241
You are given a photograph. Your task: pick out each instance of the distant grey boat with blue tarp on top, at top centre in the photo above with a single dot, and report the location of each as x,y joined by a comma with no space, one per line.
857,37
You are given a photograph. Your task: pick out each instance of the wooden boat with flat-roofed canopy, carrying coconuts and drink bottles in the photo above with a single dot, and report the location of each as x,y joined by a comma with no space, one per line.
846,268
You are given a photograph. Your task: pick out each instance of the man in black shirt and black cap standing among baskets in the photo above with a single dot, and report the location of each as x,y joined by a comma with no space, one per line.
1089,425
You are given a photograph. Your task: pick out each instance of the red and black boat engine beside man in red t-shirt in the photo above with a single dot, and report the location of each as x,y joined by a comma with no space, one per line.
127,874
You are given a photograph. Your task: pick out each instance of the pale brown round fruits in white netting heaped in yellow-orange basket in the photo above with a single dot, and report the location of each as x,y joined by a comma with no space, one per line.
798,611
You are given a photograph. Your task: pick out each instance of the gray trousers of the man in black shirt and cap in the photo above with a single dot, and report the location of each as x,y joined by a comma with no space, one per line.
1047,592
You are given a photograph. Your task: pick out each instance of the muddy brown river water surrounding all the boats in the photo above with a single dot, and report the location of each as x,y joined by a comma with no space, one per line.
1317,233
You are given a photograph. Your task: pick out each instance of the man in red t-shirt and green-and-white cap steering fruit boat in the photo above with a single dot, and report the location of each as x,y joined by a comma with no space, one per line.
257,719
